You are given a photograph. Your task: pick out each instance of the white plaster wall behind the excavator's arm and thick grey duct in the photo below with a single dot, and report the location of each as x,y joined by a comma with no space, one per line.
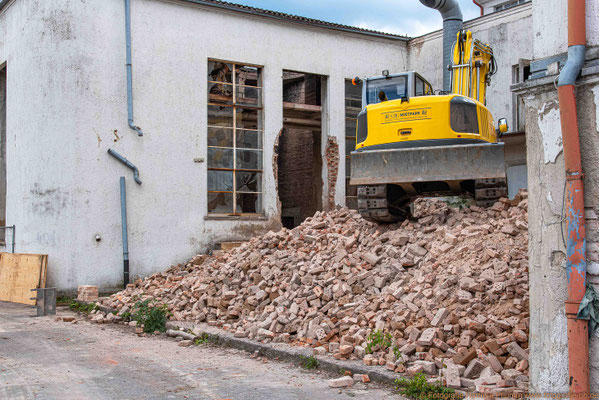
507,32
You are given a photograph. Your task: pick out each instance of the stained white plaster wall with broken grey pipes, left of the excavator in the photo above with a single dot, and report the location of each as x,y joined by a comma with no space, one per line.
67,98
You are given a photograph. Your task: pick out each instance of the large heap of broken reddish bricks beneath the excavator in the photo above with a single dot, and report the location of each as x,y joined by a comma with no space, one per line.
445,294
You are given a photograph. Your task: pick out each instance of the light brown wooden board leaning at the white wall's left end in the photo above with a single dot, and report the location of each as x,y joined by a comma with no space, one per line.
19,273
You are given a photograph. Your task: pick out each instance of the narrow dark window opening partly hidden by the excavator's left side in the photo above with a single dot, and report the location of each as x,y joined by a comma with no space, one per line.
353,105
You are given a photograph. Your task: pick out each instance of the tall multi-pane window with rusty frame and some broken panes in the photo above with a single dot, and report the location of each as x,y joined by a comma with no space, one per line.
234,138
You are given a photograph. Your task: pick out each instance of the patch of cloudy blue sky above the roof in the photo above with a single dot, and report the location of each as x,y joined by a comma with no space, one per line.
403,17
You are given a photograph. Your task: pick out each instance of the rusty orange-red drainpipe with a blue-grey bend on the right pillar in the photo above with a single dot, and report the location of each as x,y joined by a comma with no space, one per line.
576,266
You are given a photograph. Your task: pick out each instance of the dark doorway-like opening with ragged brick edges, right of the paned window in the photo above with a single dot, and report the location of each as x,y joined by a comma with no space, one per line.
300,156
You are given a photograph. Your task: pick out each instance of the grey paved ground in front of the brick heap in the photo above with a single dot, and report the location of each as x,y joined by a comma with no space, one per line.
43,358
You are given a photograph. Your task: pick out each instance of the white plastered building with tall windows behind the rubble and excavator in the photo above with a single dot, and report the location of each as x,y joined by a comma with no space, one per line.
64,83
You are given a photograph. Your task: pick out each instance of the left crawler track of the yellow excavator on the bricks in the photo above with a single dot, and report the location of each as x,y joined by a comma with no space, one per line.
383,203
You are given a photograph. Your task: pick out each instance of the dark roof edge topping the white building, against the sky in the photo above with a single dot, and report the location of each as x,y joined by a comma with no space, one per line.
296,19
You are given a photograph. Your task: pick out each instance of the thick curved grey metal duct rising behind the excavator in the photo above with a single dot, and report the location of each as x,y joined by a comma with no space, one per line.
453,22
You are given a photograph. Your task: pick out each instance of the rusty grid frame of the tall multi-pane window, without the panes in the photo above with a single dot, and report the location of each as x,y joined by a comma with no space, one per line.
236,108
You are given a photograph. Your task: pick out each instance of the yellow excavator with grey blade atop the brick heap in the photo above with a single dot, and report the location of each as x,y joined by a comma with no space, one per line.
411,142
